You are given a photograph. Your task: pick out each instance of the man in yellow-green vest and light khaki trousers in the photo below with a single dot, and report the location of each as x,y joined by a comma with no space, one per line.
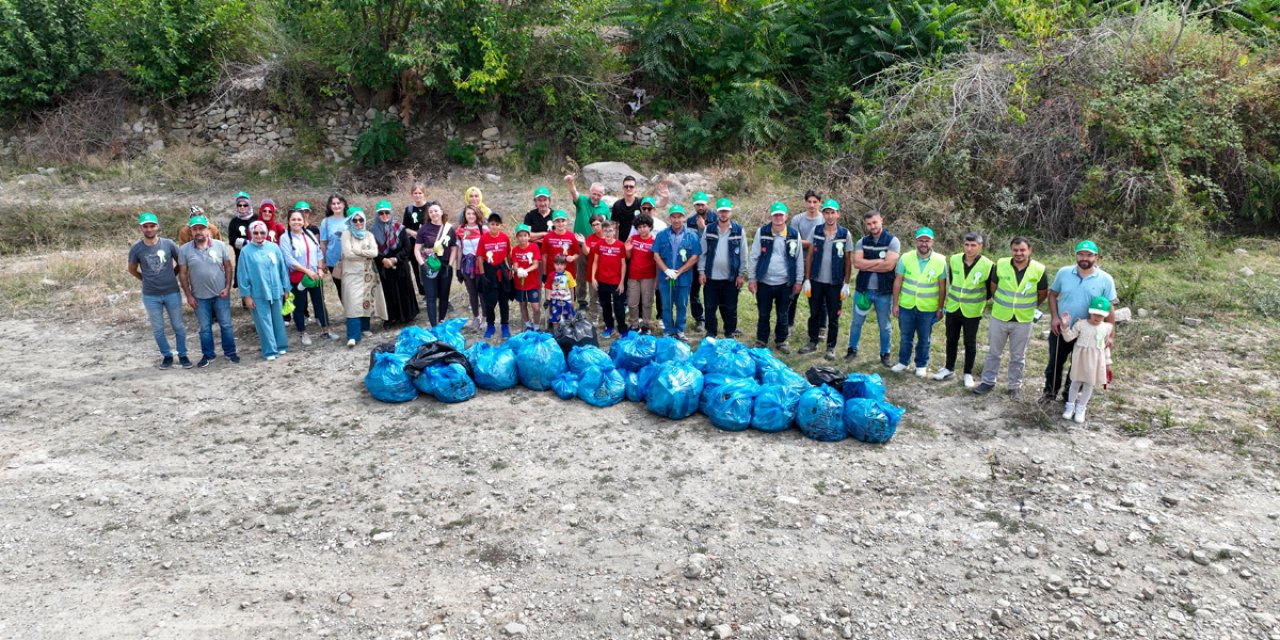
1018,286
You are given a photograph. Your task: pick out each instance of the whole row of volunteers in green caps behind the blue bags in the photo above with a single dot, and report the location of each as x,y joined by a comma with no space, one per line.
616,263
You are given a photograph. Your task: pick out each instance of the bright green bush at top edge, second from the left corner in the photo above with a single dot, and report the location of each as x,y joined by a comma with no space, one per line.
171,48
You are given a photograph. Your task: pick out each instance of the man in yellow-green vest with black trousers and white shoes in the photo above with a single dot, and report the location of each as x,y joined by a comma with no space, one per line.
967,299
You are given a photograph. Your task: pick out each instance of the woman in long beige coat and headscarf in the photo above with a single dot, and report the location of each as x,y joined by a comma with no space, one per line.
362,290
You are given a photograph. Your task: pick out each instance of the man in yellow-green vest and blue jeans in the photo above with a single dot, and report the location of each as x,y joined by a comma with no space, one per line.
920,289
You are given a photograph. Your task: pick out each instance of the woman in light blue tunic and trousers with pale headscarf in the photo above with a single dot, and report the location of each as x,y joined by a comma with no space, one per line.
264,284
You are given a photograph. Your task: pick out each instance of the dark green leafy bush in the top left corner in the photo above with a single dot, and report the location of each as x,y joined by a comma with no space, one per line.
45,45
